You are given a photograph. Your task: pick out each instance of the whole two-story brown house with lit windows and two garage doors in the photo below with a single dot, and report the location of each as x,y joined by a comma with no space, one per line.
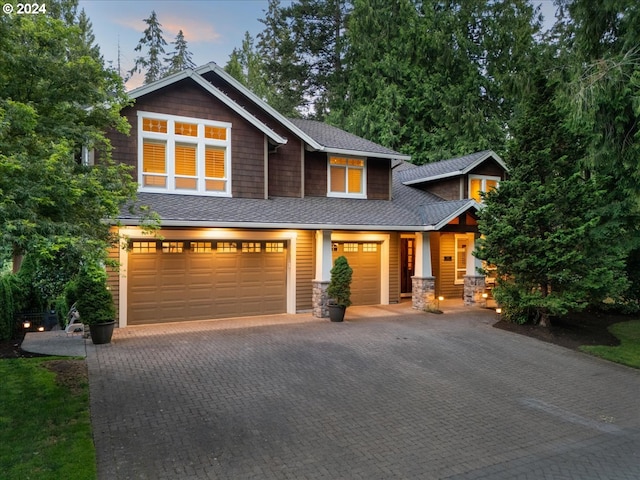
254,208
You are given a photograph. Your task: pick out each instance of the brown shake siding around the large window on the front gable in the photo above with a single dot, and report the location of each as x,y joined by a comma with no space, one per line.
188,99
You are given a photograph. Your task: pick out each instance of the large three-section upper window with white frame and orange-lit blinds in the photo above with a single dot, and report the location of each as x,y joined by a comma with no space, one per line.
183,155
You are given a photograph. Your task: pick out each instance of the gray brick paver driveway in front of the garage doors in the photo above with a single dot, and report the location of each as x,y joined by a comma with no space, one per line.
398,395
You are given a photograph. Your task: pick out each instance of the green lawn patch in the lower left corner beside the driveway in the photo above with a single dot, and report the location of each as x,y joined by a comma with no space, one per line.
45,428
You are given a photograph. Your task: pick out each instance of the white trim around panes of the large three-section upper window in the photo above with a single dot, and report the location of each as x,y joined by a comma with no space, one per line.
171,140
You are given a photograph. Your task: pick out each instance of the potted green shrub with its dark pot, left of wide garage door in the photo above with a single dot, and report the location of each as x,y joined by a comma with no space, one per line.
95,304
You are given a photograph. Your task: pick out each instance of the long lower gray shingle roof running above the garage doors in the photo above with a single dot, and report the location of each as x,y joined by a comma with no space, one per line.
409,208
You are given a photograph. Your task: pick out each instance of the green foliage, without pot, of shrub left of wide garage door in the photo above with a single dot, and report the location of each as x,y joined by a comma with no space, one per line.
92,297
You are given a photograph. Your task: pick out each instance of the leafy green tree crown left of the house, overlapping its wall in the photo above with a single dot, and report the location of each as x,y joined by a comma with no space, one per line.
56,97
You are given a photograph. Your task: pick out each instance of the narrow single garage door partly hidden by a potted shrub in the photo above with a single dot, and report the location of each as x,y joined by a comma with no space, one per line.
364,259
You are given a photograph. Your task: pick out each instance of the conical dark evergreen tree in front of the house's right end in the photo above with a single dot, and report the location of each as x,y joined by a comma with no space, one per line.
547,228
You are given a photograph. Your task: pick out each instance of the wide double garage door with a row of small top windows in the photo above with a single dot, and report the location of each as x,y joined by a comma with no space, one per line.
170,281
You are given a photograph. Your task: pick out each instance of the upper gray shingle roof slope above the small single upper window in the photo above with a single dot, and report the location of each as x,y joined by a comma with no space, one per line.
335,139
